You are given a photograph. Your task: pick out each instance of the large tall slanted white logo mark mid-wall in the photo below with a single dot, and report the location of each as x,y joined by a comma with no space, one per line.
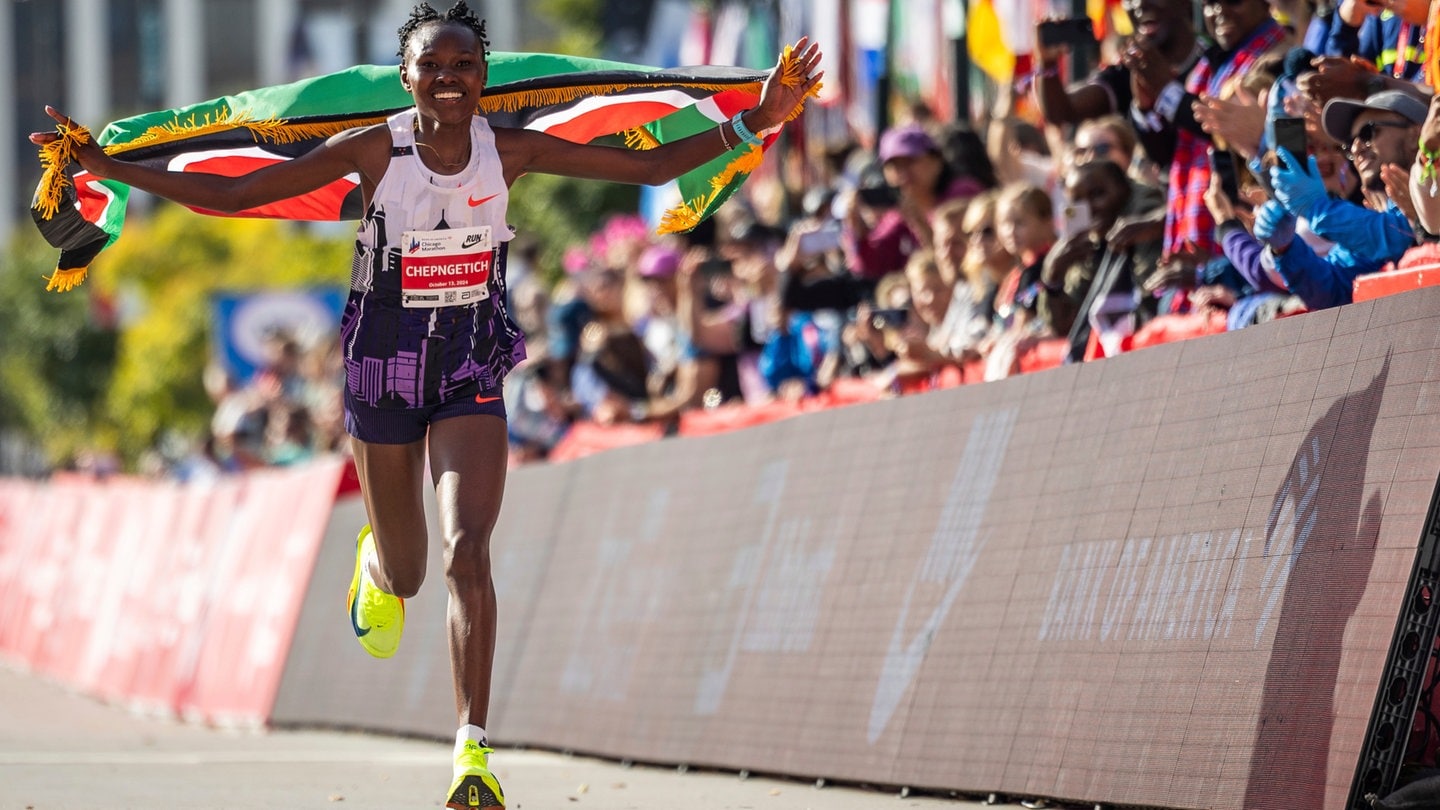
954,550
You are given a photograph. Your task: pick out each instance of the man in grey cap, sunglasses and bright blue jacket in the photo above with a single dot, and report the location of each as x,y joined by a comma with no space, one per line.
1380,132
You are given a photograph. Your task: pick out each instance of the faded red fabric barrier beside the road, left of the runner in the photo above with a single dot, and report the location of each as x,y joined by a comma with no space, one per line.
168,597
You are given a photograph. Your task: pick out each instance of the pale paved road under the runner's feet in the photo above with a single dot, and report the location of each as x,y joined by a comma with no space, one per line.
61,752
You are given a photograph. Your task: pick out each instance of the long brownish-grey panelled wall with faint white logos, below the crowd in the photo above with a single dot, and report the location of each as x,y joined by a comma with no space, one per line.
1167,580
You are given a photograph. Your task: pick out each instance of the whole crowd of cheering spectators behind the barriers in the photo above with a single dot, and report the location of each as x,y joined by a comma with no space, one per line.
1229,164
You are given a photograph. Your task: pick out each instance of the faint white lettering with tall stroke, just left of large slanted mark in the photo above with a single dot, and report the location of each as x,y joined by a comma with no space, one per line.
774,592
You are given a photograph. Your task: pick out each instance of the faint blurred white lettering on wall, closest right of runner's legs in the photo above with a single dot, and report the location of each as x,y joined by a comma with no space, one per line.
627,589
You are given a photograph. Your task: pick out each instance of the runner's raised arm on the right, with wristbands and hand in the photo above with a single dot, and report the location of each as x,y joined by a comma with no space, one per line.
526,151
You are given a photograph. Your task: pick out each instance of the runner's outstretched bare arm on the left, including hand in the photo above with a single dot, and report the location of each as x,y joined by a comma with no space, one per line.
345,153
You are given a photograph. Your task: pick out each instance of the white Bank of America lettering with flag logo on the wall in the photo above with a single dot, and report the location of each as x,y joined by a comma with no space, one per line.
1180,587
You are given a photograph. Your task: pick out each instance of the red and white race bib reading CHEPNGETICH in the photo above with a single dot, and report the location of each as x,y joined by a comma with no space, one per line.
446,269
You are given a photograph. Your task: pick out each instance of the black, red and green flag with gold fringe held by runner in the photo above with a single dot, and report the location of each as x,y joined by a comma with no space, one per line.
571,97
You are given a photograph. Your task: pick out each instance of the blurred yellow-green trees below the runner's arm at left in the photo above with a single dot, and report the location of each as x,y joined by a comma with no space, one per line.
70,383
